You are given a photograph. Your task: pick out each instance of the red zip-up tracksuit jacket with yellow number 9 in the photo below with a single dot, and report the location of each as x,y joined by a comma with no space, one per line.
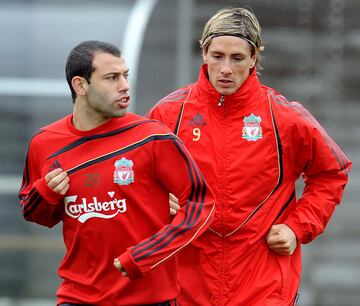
251,147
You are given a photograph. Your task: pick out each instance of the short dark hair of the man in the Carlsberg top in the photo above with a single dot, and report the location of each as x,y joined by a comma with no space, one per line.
80,60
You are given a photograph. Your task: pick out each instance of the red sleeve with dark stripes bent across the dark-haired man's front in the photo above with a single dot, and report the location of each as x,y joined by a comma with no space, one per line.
178,173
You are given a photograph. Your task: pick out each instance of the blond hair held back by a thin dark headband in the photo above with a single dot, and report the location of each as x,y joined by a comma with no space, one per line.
234,21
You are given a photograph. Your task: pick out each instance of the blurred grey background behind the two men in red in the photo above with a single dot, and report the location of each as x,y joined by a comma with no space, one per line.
312,55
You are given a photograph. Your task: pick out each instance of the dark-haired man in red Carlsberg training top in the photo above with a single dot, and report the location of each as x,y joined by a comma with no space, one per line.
106,175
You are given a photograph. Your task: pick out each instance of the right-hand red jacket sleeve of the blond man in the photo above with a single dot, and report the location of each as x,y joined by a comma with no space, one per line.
325,170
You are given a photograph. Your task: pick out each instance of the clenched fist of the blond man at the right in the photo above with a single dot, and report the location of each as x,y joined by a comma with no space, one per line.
281,239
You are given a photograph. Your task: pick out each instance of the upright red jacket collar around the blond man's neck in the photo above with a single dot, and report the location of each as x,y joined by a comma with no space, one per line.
246,96
